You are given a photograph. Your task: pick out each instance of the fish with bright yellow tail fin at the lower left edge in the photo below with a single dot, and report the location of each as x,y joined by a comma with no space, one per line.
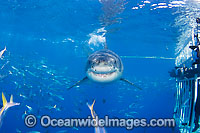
6,106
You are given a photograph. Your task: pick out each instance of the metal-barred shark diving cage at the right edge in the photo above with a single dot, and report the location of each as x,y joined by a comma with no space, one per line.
187,75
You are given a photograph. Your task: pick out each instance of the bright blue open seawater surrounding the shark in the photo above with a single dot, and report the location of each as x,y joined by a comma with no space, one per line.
47,47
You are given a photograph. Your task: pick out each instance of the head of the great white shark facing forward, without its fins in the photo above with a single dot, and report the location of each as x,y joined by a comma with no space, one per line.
104,66
